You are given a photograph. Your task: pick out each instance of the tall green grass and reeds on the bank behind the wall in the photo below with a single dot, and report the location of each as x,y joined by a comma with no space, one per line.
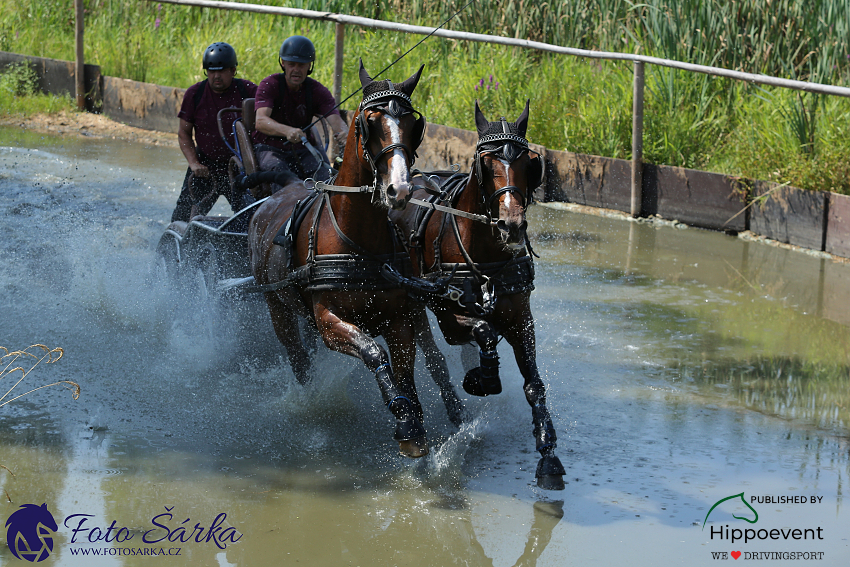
584,106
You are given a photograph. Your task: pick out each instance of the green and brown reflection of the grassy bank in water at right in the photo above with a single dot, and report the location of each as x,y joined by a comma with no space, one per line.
742,322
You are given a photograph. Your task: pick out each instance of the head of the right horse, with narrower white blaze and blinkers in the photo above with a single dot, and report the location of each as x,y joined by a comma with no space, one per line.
506,174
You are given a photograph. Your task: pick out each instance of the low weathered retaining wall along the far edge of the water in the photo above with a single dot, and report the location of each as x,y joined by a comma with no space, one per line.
814,220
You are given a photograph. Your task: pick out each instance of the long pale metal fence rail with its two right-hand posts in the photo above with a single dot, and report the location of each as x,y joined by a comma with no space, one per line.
639,61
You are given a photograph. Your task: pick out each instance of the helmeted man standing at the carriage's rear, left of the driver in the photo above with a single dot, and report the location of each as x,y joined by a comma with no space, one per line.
207,154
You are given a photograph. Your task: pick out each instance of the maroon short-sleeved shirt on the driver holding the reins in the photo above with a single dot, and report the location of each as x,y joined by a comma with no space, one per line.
291,107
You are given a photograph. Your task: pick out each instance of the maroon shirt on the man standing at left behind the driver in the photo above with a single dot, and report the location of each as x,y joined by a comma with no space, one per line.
204,116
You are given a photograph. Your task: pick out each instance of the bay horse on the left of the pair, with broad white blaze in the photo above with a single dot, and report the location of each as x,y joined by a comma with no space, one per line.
328,268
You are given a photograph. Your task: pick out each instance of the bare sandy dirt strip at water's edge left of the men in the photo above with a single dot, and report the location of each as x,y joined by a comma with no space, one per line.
86,124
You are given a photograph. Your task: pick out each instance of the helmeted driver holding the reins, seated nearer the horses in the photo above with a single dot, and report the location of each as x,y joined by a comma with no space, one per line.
286,104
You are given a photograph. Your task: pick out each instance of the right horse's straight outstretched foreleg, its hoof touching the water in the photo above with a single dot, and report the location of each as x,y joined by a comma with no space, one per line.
550,472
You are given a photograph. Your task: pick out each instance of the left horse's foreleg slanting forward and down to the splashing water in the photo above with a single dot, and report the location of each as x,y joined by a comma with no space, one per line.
348,339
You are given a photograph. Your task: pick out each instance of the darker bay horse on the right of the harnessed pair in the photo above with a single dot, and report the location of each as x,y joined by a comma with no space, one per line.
468,241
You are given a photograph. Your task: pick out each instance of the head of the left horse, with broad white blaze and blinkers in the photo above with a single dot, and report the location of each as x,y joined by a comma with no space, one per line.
388,131
